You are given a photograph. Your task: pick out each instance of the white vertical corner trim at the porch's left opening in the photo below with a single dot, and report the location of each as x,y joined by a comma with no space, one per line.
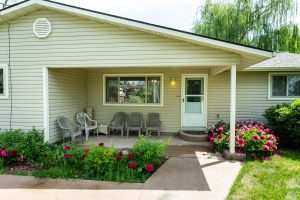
46,105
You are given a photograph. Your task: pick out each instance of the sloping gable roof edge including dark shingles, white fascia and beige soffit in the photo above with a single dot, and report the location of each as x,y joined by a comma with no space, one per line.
28,6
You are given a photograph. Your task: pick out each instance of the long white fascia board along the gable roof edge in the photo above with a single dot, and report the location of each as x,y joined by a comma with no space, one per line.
145,27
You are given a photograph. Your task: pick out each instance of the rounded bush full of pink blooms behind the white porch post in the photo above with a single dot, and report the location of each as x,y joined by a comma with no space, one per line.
251,137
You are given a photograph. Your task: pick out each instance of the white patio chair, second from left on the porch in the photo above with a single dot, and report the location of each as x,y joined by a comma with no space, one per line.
86,124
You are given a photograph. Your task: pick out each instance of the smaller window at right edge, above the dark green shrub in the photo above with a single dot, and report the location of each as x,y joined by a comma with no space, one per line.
285,85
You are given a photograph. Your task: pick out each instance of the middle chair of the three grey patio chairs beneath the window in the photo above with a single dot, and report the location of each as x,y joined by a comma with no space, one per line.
135,122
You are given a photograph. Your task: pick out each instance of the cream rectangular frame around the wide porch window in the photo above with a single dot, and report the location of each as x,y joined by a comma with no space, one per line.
134,75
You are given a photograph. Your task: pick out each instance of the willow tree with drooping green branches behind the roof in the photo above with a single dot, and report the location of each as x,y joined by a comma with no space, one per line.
260,23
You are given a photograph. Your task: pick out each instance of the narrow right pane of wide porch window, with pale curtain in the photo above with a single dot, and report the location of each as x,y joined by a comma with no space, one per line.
153,90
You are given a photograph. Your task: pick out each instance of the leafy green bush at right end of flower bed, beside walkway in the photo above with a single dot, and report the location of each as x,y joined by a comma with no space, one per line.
149,152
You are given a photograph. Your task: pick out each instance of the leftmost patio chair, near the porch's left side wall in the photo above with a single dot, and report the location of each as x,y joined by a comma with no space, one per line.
69,130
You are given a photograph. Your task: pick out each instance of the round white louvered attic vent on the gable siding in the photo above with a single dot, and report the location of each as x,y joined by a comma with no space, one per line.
42,27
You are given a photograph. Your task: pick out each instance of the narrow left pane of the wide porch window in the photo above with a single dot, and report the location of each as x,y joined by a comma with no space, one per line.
112,90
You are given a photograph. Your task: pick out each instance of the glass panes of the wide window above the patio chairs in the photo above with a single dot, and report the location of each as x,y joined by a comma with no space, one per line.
133,89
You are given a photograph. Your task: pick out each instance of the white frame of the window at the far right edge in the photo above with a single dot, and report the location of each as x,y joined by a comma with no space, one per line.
270,97
